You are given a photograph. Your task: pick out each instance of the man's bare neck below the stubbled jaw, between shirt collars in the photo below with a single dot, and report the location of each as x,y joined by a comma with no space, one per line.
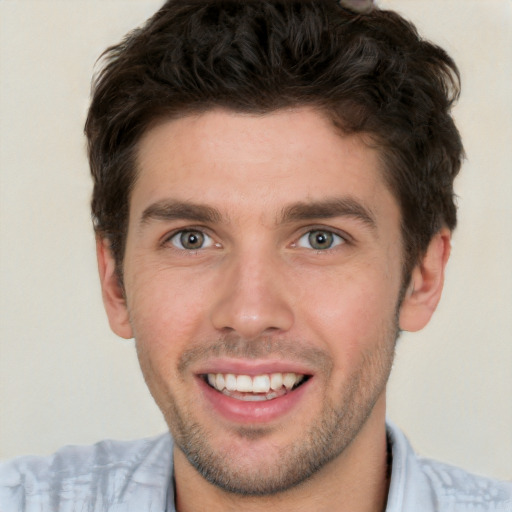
356,481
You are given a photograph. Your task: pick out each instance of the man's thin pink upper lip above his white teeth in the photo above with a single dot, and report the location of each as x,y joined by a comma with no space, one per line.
252,367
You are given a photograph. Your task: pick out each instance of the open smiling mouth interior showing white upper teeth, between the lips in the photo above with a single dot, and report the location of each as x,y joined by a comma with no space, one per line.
256,388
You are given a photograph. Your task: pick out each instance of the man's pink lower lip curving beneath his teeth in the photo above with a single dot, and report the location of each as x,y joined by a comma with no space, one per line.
240,411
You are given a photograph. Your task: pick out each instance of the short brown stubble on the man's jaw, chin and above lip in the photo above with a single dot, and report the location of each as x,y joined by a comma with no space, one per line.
336,426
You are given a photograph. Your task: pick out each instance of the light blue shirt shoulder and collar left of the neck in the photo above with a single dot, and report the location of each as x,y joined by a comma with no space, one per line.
89,477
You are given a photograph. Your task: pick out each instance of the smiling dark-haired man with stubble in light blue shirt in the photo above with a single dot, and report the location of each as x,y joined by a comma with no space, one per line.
273,203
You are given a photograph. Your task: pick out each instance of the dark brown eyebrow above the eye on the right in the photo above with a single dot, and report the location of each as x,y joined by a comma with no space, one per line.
327,209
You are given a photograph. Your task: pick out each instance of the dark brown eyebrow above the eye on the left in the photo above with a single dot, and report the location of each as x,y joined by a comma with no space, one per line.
171,210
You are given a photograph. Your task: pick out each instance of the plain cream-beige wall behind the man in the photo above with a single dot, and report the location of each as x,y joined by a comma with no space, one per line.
64,378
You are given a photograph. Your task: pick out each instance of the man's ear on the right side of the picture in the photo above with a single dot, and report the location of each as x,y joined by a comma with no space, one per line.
426,284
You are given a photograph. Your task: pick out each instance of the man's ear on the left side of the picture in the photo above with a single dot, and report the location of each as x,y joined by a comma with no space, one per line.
112,290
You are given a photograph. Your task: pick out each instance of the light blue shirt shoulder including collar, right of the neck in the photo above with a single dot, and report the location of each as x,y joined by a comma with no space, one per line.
425,485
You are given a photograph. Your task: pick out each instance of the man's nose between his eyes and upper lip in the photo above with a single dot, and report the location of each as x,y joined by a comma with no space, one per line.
252,298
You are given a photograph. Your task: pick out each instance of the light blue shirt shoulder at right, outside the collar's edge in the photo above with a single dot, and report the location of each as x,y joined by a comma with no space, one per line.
457,489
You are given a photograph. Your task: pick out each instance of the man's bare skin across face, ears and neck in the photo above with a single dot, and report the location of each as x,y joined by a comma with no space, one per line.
257,297
